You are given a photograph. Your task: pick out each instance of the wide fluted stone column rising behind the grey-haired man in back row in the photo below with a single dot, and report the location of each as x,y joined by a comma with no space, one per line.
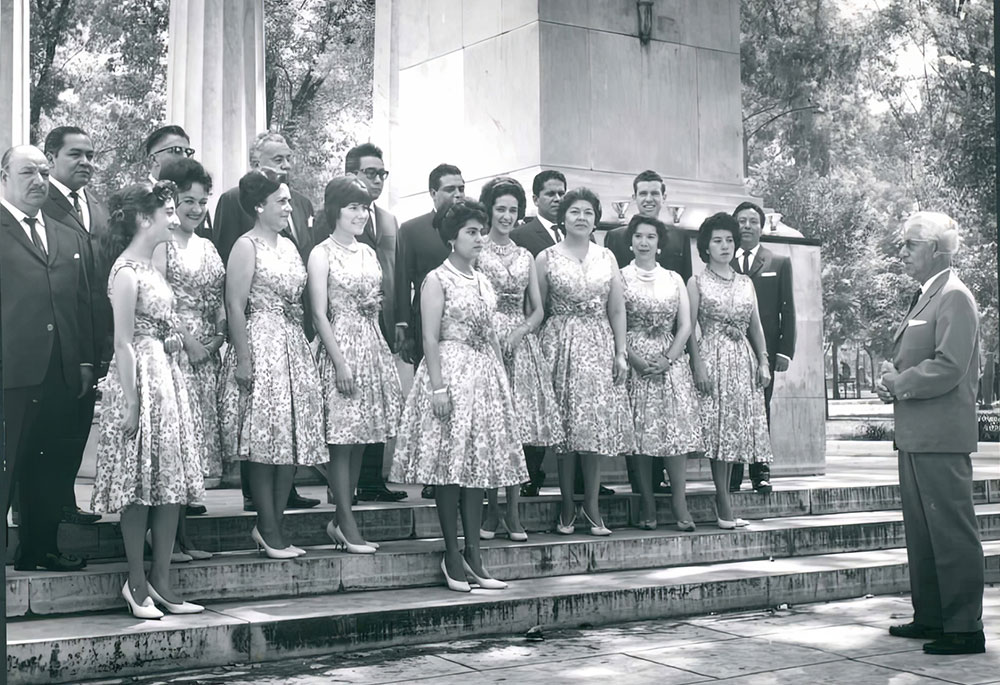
215,81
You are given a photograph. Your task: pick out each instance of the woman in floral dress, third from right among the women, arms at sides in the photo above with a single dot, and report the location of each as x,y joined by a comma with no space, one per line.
583,339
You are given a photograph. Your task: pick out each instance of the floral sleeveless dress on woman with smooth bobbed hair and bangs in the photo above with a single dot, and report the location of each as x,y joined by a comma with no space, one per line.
353,304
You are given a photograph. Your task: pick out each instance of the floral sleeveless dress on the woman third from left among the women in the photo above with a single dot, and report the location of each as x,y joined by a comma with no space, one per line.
279,421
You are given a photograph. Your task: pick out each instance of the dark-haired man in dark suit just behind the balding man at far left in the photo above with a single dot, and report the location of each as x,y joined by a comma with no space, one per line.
70,154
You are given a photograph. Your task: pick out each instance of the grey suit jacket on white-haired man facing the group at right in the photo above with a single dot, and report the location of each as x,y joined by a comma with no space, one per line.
936,352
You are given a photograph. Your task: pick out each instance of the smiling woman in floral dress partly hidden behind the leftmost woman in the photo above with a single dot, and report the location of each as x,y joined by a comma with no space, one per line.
194,271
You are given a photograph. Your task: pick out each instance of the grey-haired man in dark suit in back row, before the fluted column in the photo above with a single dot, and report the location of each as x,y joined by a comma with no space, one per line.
269,150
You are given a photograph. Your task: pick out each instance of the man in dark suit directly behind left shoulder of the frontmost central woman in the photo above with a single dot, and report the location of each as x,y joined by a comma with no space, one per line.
420,250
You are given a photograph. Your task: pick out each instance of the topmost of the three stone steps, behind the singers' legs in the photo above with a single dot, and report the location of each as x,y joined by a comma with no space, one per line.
227,528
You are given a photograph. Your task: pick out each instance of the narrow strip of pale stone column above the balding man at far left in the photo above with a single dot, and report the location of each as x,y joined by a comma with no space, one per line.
15,75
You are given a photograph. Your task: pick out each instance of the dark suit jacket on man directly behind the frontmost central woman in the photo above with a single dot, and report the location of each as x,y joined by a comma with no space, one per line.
419,250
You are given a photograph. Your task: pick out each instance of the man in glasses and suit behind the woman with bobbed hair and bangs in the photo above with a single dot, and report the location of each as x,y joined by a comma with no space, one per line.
365,162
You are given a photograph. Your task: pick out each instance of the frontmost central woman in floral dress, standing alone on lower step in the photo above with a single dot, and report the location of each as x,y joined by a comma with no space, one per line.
459,431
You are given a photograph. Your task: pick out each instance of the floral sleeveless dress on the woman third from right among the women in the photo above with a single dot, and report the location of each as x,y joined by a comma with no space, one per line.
578,343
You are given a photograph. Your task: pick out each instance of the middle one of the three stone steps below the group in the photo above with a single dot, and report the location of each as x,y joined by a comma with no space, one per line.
414,563
